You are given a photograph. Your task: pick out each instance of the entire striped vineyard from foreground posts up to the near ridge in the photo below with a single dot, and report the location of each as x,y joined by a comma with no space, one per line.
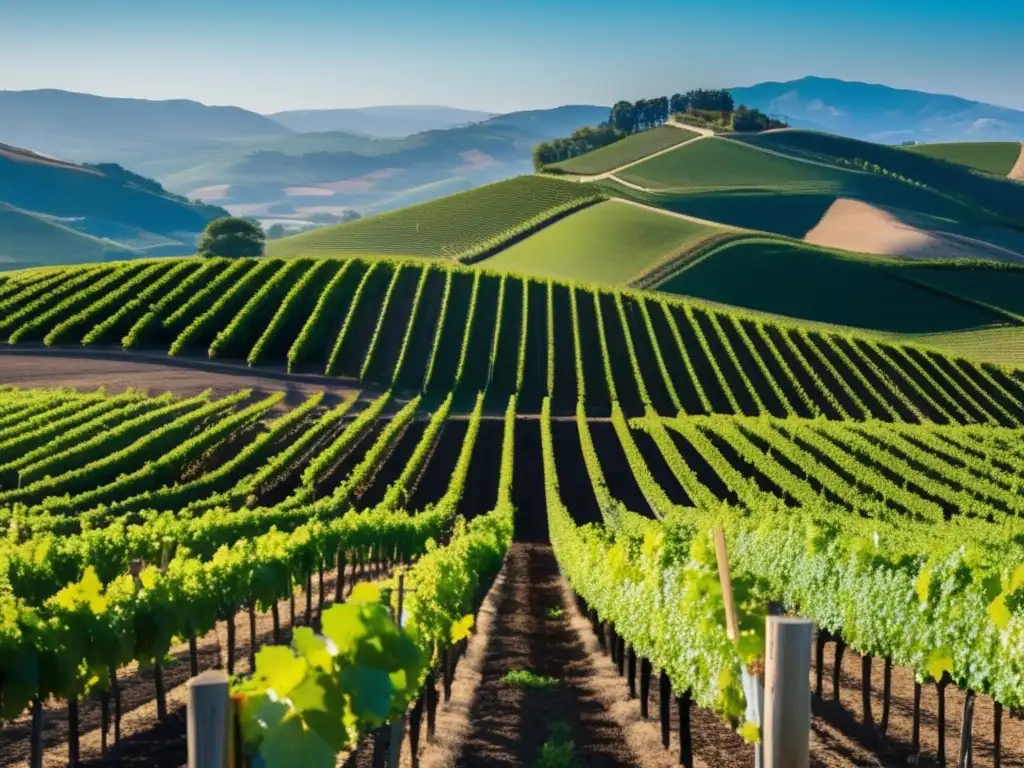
873,488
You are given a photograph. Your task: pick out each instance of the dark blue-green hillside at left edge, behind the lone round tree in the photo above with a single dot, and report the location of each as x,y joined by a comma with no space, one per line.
56,211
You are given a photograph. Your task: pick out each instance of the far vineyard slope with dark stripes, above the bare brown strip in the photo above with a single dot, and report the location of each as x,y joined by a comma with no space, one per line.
437,329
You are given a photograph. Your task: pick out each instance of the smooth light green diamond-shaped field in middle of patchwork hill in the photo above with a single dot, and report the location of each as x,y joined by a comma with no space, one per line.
608,243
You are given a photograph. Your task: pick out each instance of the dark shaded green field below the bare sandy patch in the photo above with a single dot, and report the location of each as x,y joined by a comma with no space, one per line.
817,284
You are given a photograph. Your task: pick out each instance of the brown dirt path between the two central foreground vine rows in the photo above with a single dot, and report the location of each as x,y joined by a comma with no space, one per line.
509,726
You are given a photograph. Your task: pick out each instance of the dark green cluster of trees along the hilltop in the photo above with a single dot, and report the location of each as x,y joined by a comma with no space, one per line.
628,118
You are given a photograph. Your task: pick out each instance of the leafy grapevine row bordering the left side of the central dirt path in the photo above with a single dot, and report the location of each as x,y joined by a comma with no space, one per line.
437,600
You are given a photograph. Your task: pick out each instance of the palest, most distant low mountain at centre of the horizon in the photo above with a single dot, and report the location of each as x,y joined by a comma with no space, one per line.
380,122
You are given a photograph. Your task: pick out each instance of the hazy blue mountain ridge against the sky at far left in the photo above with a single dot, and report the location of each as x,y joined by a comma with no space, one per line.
81,126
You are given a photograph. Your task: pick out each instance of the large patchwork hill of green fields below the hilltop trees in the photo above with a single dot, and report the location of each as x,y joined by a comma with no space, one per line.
788,223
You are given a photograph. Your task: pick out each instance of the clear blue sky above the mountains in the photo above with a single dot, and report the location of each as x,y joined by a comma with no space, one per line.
501,55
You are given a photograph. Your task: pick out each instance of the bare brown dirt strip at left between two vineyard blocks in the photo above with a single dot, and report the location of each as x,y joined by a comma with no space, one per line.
116,370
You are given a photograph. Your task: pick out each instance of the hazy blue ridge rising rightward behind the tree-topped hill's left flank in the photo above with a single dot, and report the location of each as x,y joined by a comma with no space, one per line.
329,173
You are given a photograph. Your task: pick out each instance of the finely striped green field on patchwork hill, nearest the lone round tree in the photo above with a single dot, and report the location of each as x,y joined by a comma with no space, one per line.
441,229
